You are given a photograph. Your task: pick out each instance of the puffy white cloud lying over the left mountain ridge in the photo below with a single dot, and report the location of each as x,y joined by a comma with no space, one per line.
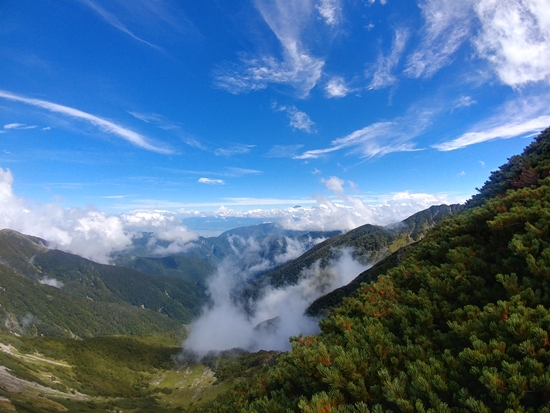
86,231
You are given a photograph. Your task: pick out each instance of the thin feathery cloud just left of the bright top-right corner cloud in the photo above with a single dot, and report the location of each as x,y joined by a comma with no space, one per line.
447,25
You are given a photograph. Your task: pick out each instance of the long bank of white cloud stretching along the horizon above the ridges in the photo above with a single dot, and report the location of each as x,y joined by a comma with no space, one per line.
96,235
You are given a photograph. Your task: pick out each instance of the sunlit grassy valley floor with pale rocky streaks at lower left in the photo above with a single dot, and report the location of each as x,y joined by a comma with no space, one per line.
129,374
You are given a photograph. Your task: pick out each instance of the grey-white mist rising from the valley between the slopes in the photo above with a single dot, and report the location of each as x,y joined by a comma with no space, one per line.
271,319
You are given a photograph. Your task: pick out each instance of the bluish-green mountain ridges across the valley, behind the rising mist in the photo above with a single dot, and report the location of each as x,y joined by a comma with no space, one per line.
48,291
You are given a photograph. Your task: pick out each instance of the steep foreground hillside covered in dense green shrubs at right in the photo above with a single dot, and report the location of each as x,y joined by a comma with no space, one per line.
460,325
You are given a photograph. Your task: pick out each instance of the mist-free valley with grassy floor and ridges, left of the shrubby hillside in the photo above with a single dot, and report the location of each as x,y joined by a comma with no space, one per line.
83,336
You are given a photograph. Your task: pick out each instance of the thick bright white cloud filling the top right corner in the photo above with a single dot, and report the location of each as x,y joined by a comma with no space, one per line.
515,39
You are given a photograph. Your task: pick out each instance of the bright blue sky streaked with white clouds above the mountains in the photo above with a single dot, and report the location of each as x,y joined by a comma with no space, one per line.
358,111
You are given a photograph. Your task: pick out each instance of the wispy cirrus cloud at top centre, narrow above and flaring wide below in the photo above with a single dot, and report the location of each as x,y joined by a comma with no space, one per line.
297,68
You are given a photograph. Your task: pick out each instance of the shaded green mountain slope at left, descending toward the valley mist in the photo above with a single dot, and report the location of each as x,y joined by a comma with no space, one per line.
55,293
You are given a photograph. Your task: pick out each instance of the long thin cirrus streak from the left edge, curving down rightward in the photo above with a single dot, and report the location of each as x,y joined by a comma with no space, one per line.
102,124
